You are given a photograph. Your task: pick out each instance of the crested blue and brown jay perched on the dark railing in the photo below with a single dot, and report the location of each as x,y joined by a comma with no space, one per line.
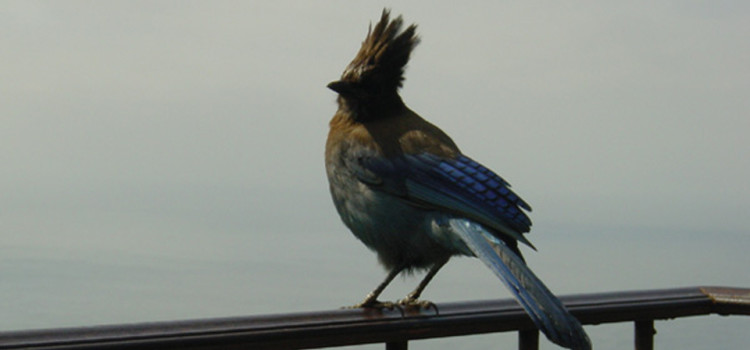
404,189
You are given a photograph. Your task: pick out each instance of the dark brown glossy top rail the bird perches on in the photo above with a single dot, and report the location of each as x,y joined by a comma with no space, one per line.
359,326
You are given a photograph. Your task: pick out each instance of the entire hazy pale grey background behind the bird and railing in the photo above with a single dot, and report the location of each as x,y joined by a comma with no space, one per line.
163,160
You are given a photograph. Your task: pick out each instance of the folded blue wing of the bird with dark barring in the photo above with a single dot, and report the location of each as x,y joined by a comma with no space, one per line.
459,186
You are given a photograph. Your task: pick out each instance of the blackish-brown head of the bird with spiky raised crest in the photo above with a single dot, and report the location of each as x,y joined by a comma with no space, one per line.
372,79
